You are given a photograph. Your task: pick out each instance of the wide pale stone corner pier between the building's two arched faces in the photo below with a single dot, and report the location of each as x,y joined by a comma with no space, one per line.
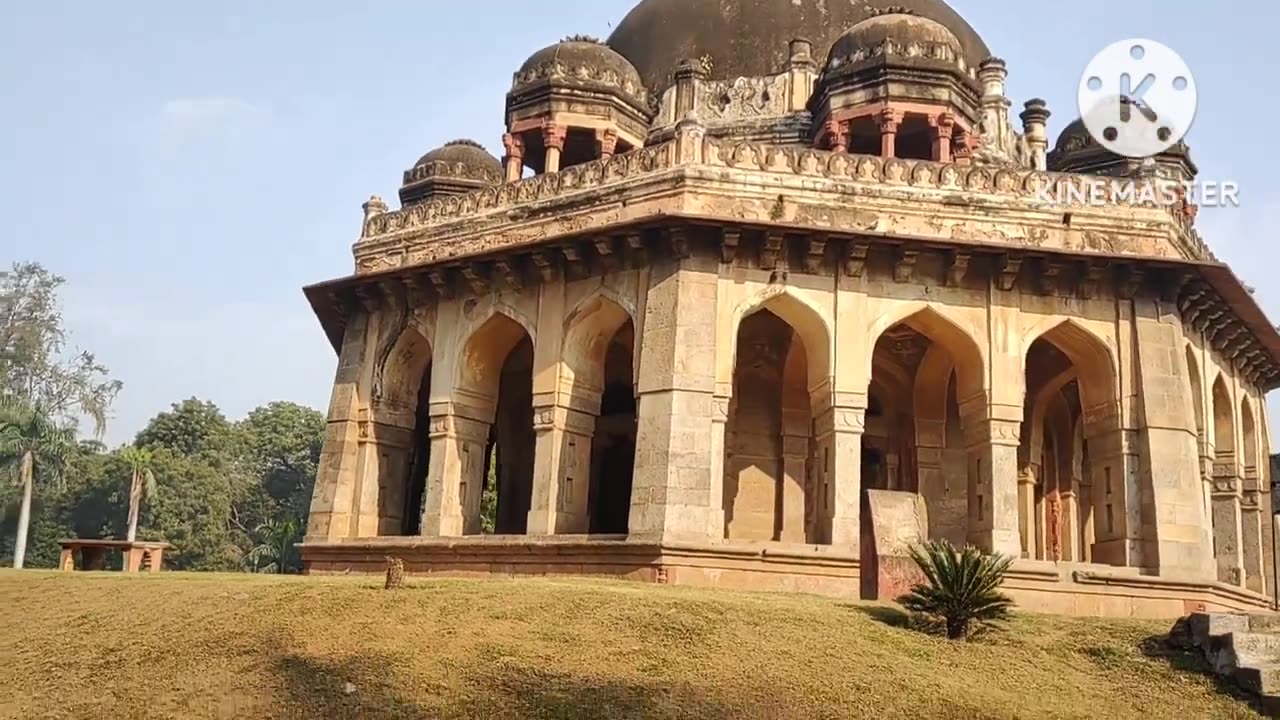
673,486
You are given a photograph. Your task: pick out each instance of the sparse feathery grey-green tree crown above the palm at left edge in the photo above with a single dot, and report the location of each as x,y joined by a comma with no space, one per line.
35,363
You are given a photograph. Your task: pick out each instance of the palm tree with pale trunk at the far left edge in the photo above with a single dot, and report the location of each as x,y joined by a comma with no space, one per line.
31,444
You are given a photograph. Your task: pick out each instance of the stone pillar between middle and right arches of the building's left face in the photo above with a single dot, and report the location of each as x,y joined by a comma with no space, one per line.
563,472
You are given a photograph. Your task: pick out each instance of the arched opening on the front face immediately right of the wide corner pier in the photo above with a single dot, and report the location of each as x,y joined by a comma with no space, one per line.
771,491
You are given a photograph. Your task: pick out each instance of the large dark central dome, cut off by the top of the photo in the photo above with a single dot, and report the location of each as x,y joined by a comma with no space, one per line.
749,38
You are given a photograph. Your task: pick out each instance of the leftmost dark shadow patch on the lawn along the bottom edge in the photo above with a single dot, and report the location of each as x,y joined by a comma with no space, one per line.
346,689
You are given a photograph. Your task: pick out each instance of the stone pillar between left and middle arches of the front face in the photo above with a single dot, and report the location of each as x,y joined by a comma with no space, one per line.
840,458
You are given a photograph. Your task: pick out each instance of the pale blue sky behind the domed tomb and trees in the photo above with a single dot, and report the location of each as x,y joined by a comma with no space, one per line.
190,167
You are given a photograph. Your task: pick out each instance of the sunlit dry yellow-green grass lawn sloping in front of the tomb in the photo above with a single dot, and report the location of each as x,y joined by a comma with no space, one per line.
108,646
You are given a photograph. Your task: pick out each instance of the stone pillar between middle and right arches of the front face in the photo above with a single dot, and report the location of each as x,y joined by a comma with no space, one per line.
994,490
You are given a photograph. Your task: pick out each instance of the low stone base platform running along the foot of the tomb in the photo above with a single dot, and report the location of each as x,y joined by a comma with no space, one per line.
1036,587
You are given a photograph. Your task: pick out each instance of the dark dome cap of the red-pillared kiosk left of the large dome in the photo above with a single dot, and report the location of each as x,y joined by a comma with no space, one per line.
586,62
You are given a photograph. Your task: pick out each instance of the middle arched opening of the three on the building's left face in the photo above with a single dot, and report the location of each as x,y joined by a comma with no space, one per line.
496,390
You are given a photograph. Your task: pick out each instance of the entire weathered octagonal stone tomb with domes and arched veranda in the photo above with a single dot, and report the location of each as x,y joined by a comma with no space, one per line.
746,311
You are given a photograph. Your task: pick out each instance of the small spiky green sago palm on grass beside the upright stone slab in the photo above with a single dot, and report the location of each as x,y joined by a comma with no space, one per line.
961,589
